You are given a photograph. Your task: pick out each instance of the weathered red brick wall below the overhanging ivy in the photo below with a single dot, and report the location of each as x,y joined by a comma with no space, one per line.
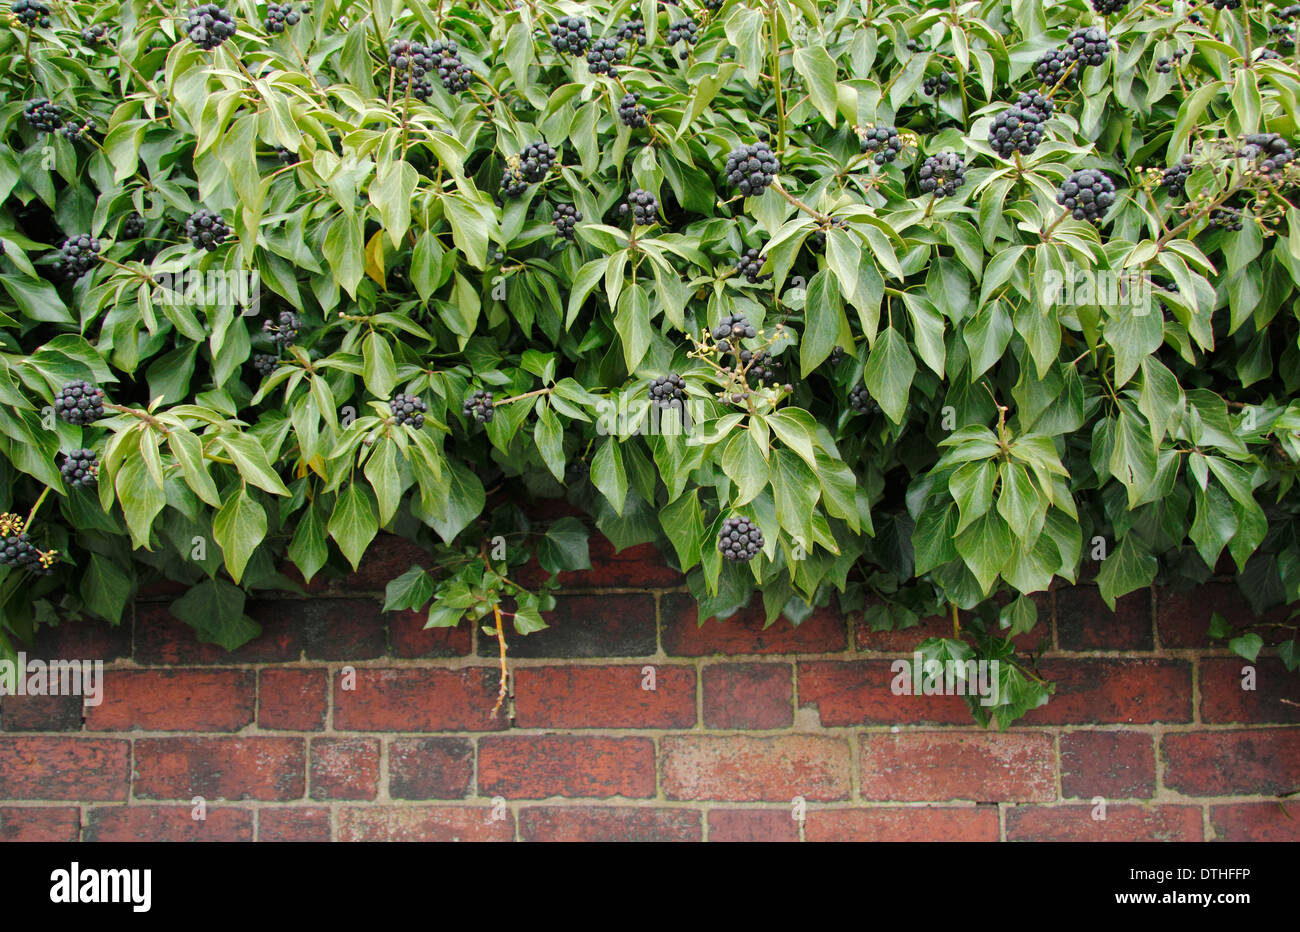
742,721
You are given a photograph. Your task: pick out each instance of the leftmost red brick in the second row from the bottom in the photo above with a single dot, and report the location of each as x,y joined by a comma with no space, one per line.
64,769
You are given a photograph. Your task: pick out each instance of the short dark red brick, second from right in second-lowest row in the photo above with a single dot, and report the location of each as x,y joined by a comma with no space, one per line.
1115,765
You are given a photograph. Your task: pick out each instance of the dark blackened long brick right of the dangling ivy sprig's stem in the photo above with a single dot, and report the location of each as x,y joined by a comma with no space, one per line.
588,626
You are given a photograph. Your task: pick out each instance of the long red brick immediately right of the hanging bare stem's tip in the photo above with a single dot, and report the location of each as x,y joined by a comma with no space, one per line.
604,697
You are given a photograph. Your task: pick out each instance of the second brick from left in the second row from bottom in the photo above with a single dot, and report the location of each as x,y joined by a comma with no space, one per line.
220,769
